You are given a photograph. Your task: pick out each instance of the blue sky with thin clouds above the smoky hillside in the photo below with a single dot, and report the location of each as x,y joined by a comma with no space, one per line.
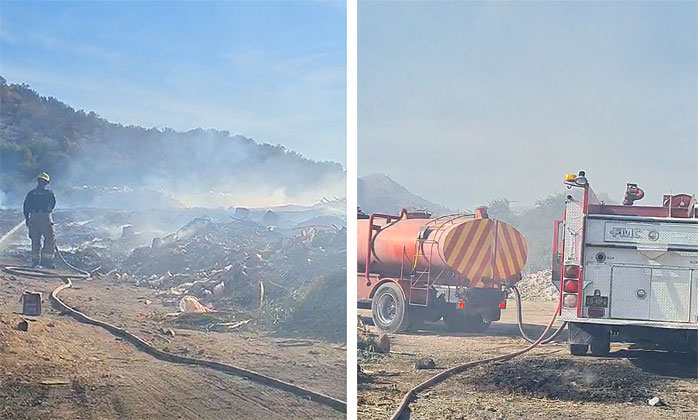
273,71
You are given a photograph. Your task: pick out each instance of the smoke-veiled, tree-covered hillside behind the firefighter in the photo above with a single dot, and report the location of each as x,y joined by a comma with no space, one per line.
198,167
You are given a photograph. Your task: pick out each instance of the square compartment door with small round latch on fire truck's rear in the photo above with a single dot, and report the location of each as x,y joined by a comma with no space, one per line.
629,297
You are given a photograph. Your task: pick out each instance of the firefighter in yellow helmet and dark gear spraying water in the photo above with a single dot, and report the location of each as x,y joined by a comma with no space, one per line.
38,206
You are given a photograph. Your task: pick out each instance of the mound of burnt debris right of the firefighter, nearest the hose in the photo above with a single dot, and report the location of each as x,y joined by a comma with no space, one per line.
289,280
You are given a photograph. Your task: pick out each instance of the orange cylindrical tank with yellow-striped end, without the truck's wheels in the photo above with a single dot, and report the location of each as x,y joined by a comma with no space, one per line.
463,250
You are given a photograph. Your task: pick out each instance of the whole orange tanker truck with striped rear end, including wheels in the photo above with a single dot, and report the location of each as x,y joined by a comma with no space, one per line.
413,268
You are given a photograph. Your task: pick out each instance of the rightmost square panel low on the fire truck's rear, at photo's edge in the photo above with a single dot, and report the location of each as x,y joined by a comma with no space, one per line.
670,295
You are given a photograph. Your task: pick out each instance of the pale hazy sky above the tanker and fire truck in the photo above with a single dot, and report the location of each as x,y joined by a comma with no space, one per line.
465,102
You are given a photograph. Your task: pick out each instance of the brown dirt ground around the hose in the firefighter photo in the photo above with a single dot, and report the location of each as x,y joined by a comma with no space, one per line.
62,369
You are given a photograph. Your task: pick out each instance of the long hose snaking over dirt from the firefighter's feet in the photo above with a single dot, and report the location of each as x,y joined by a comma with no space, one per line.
146,347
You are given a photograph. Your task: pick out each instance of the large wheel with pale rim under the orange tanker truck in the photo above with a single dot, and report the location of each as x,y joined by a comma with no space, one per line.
389,309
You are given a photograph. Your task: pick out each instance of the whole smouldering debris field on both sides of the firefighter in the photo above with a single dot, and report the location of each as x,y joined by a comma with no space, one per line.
288,279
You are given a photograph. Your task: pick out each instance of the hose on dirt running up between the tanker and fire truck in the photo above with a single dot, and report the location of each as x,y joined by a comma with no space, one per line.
434,380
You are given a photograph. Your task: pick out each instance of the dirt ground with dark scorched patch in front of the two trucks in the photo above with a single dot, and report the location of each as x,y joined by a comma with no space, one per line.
545,383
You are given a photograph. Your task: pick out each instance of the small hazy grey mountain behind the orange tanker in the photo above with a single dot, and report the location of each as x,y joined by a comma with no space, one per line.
379,193
